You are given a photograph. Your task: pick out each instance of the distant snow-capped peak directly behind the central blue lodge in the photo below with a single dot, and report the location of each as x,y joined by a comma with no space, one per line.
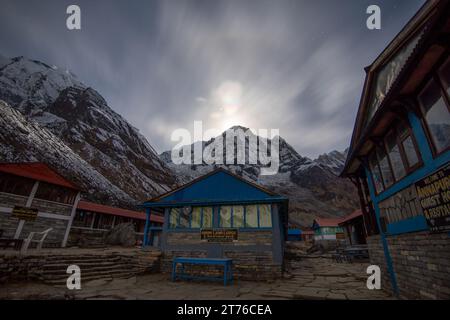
313,186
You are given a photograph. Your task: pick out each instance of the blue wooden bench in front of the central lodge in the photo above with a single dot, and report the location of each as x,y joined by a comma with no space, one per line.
226,263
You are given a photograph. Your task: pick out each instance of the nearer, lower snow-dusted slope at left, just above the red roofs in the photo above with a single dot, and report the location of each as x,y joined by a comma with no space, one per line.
23,140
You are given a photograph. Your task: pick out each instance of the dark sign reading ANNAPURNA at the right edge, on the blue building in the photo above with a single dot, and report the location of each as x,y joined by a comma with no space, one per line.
434,196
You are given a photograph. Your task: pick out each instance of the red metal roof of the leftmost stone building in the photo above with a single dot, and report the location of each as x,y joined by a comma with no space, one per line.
37,171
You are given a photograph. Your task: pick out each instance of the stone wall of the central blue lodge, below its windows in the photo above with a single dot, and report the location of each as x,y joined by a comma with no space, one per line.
252,254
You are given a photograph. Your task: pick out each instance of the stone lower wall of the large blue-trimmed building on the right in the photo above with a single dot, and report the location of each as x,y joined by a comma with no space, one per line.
421,263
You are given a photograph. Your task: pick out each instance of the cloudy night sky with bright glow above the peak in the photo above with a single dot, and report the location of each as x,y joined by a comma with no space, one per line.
296,66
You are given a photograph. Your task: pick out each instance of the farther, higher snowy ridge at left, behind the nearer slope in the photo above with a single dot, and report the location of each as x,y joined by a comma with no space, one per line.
82,119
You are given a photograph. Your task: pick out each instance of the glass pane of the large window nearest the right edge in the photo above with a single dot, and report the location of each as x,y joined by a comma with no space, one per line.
436,114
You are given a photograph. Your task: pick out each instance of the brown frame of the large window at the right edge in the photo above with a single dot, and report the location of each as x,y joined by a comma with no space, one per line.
433,76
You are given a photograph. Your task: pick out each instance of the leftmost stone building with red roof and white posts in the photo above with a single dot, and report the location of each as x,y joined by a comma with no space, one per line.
34,198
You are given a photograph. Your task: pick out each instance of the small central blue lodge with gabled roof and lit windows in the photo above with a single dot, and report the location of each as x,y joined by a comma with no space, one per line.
221,215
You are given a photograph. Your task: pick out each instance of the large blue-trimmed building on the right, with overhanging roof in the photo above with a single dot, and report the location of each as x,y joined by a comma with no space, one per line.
399,157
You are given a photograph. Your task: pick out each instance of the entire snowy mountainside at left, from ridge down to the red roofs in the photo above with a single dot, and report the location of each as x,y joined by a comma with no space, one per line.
79,119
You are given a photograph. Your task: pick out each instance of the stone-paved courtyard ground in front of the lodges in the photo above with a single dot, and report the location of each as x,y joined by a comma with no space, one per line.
308,278
